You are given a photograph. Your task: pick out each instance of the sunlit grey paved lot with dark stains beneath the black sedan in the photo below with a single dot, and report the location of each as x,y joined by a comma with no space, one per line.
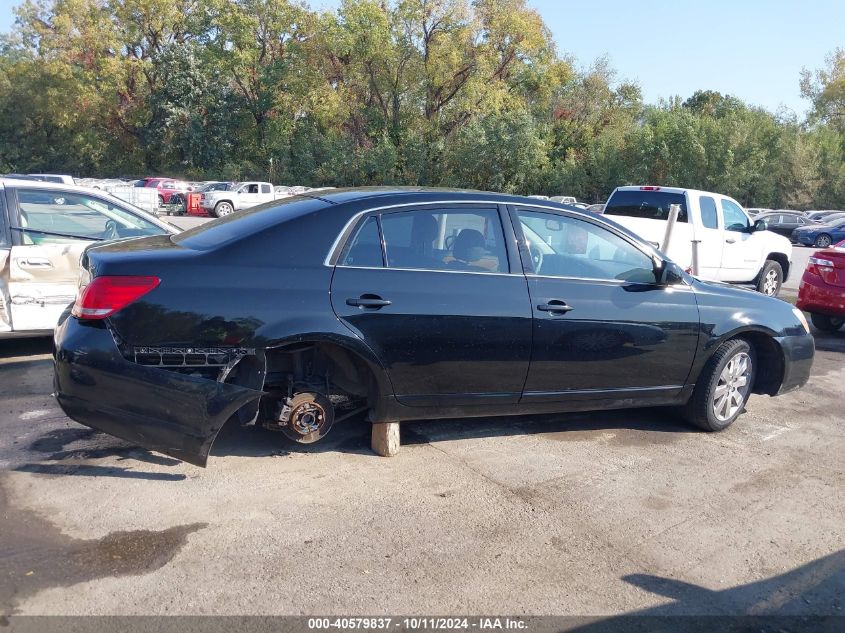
604,513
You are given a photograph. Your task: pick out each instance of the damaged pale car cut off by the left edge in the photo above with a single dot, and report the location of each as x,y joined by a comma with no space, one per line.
43,229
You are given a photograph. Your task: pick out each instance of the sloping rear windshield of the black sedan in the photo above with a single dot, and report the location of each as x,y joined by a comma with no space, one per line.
245,223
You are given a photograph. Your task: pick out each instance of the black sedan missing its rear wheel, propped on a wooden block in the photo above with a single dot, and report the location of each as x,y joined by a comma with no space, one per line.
406,304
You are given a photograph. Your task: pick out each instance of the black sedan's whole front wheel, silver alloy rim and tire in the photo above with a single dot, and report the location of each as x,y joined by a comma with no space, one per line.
723,387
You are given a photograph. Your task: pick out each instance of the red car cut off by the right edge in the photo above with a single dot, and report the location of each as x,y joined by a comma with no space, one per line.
822,289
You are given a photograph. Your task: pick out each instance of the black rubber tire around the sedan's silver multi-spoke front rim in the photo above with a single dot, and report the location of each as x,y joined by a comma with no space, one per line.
700,410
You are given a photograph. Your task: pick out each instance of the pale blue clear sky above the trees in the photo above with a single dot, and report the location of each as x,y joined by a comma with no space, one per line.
751,49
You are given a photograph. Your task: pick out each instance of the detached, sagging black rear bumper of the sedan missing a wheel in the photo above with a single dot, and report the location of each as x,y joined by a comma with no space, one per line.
159,409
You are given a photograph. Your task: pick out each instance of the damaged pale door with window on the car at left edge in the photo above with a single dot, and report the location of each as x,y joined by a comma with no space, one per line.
51,228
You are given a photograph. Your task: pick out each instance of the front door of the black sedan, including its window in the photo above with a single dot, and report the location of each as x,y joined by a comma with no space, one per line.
603,328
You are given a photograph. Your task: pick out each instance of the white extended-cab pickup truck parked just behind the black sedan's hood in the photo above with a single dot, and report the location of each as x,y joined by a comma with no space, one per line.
731,247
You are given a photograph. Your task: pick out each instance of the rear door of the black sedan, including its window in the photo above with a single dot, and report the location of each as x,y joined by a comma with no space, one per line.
430,289
